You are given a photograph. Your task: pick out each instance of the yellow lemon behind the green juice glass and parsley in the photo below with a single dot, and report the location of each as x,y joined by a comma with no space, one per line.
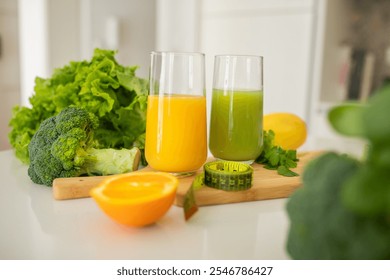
290,130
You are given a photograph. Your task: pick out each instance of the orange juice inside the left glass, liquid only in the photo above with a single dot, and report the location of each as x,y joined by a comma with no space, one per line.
176,139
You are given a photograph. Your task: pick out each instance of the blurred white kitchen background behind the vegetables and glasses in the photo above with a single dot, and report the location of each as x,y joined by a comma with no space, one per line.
317,53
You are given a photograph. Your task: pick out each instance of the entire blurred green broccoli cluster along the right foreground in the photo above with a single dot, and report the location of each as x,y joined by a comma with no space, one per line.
343,209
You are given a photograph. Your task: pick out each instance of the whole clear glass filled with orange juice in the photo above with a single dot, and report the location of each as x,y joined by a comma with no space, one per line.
176,129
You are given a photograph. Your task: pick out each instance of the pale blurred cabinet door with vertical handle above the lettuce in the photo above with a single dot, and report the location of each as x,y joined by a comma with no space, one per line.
125,25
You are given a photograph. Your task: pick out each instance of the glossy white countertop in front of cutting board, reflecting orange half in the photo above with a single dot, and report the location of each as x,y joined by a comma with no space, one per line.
35,226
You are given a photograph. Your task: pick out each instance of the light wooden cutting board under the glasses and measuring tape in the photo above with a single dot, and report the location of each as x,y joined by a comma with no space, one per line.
267,184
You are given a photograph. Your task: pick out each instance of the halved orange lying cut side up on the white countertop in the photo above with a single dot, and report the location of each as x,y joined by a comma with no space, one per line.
138,198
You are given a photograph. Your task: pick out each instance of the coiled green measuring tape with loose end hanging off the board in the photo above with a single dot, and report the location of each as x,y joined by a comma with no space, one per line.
222,175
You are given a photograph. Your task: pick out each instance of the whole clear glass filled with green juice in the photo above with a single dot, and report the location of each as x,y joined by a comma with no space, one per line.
236,122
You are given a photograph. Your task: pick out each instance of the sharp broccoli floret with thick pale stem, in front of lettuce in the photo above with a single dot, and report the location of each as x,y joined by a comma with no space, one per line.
64,146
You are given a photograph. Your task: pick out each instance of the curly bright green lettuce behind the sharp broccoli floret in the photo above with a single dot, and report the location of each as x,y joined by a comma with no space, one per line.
103,87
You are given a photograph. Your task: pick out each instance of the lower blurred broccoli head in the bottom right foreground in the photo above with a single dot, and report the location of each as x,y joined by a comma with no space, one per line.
322,226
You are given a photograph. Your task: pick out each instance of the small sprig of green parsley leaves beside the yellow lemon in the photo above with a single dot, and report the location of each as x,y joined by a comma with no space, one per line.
275,158
